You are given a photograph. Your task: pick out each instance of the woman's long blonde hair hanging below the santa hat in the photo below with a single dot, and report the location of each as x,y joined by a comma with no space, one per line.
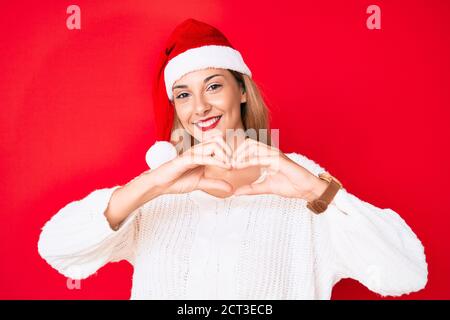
254,113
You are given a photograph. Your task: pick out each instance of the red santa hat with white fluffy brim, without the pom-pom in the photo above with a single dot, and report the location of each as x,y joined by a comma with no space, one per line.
193,45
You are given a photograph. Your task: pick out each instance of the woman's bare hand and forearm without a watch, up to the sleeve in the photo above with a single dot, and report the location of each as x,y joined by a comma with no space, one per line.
182,174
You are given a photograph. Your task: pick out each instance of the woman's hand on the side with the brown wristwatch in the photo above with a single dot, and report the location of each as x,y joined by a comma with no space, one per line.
284,177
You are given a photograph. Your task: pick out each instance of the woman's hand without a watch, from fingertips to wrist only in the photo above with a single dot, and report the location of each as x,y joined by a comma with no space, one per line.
185,173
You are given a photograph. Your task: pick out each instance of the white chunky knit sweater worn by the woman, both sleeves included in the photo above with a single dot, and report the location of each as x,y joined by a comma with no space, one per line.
198,246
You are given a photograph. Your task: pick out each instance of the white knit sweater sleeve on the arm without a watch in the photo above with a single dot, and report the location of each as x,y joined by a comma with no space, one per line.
78,239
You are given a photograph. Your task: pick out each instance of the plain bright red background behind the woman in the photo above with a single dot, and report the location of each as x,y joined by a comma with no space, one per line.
371,106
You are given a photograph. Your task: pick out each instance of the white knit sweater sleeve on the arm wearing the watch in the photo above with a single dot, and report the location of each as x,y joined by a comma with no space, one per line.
371,245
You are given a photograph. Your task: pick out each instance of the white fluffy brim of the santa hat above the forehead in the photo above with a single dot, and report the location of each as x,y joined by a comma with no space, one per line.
211,56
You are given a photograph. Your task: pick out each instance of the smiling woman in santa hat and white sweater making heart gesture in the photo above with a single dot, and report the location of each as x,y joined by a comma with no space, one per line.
230,218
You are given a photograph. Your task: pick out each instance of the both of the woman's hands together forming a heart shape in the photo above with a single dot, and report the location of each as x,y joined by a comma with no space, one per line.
284,177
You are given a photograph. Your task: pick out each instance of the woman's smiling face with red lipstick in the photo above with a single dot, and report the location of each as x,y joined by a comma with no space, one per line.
208,101
